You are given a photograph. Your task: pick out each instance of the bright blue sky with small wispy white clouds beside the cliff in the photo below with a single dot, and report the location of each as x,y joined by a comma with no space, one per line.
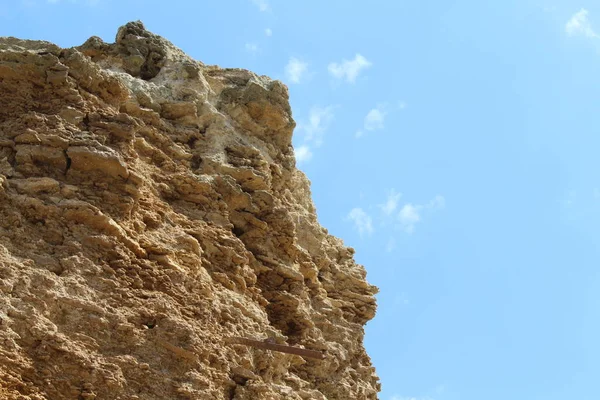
453,144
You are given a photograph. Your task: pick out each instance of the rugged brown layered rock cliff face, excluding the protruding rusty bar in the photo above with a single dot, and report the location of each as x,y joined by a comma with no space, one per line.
150,209
